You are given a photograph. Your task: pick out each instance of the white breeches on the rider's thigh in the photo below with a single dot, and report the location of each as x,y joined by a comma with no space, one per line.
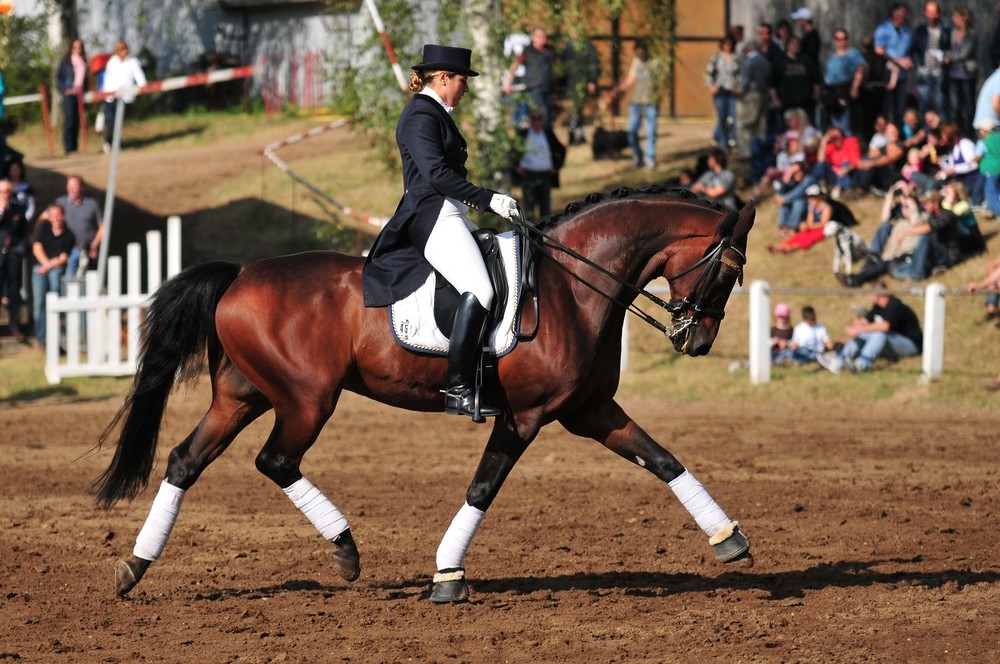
453,252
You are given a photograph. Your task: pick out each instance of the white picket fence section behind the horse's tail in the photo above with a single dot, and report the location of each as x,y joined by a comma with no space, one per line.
85,334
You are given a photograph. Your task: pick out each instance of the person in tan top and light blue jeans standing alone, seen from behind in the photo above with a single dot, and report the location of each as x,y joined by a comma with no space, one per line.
646,83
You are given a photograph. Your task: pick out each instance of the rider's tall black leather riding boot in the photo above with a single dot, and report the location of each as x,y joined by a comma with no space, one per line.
464,351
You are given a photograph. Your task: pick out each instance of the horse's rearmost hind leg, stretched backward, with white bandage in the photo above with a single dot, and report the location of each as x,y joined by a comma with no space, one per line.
235,404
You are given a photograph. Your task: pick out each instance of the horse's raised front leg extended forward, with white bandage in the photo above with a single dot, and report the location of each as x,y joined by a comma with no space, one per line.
609,425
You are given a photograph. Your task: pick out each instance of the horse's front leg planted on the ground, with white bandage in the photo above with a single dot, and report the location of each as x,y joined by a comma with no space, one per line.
502,452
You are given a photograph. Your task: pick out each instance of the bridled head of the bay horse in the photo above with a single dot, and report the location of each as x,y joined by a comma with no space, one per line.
705,282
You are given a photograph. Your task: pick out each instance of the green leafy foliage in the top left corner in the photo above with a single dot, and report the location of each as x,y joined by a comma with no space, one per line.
25,60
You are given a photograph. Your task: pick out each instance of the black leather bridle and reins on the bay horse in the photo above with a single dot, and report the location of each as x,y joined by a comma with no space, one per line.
685,313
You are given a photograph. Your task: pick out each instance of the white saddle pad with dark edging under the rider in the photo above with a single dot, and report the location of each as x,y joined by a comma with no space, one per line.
412,318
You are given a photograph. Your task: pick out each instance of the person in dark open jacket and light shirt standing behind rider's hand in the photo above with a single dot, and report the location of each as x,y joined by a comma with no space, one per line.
538,167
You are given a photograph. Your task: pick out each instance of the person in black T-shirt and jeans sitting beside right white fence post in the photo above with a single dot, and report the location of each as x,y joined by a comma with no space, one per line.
889,329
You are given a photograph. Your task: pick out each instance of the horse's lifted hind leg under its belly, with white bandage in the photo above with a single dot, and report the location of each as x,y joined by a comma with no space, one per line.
296,427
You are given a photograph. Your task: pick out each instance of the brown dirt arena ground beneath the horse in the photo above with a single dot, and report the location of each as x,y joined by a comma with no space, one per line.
874,542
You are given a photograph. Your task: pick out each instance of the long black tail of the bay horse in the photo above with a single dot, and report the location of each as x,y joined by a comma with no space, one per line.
179,326
